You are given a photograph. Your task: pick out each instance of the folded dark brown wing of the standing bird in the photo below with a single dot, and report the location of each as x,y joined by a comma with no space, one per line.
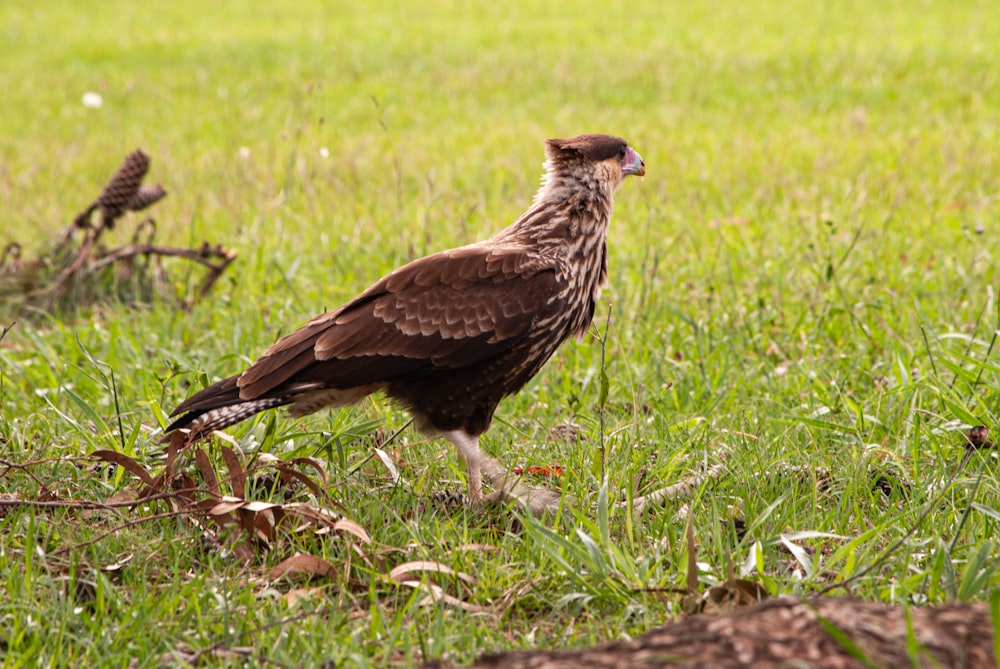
447,310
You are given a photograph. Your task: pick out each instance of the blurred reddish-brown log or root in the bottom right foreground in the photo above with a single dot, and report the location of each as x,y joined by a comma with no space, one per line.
823,633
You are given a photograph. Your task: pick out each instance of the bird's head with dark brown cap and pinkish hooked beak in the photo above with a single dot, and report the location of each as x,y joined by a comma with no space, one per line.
609,158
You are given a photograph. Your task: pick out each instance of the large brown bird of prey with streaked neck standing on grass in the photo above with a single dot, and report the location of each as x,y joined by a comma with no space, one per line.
451,334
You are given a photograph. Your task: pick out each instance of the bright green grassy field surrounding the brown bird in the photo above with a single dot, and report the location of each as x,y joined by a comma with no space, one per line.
803,287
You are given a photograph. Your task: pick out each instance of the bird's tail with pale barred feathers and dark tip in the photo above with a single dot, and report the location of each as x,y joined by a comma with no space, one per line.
217,407
